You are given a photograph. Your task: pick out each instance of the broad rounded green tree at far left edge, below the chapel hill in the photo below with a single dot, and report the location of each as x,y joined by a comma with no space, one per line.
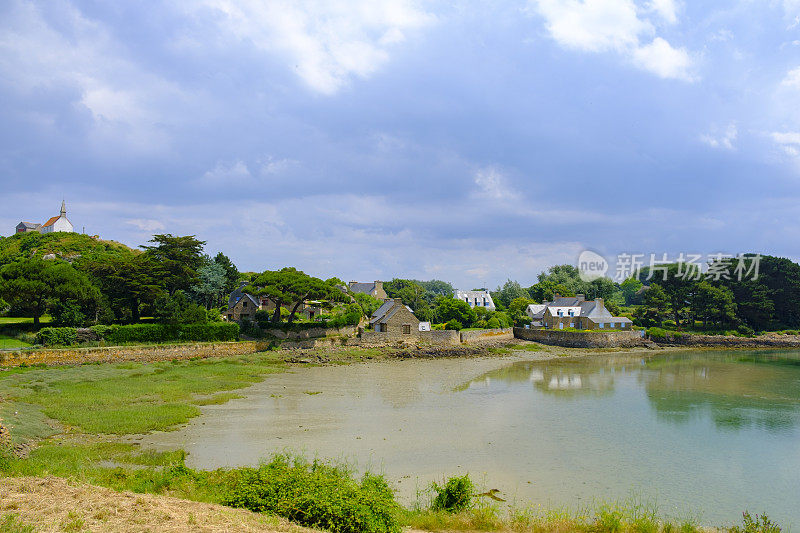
33,284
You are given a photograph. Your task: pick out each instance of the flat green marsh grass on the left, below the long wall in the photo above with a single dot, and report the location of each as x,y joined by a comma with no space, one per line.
125,398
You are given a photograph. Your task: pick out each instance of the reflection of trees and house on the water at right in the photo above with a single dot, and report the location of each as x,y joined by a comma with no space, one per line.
736,390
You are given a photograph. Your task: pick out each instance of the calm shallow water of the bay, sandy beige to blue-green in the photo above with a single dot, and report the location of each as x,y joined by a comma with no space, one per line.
704,434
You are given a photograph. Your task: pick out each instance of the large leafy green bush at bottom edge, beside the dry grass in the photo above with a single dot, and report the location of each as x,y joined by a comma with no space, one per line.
316,494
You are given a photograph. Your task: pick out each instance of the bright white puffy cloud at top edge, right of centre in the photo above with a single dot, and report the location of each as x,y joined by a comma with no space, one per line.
616,26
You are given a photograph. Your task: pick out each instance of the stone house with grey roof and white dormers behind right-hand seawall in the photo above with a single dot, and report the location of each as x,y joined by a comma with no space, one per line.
575,312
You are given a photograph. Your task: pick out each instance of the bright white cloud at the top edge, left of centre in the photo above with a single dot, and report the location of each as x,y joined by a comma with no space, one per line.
327,42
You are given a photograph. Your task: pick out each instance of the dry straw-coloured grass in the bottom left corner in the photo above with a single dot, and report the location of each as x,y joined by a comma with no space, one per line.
54,504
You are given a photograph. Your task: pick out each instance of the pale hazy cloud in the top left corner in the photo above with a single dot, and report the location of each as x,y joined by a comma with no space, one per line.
80,58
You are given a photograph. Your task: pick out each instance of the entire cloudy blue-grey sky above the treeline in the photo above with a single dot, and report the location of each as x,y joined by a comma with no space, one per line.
369,139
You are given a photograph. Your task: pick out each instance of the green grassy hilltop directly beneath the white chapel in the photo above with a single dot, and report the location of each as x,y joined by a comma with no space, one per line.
69,246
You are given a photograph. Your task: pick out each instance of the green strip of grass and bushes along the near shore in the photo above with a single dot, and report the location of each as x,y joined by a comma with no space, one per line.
319,494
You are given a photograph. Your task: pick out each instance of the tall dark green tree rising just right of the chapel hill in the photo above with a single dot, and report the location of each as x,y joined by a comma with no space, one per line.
177,260
